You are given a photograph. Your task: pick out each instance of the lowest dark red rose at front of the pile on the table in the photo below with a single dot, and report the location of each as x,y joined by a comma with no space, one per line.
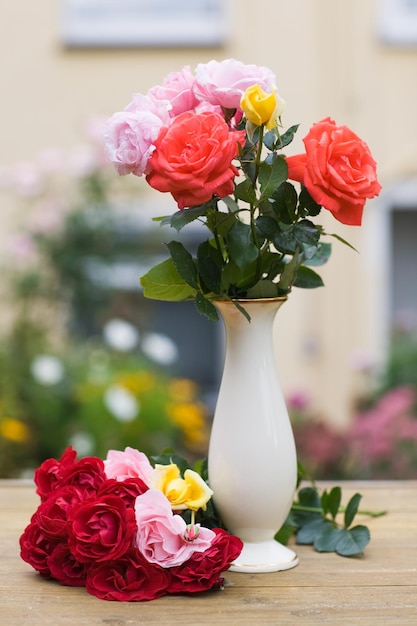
130,578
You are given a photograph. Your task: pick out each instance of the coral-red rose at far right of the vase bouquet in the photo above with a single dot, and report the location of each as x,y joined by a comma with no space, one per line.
337,169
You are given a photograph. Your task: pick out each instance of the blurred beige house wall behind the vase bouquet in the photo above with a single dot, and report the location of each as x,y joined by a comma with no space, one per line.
328,61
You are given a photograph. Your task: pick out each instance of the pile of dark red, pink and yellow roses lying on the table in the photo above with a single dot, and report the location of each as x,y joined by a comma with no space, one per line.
125,529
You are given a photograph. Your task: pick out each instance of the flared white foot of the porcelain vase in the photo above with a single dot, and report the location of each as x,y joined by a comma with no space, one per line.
265,556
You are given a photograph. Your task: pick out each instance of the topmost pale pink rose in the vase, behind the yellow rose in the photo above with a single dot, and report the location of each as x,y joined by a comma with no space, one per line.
224,82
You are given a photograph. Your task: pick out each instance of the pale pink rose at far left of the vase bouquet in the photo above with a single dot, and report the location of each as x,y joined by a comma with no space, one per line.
129,135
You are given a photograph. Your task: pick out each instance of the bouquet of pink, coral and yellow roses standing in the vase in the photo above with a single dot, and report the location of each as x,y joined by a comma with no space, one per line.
213,140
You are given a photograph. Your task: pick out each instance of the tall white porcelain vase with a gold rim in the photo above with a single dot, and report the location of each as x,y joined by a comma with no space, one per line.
252,463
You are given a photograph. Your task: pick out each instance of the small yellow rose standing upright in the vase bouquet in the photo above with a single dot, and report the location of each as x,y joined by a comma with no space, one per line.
260,107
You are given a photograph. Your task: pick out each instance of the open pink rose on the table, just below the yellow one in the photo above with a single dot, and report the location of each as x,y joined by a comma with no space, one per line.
162,535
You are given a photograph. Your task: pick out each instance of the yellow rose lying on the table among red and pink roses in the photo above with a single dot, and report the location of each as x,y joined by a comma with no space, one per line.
189,492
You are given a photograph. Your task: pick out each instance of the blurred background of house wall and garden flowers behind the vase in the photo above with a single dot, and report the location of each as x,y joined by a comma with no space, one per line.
85,360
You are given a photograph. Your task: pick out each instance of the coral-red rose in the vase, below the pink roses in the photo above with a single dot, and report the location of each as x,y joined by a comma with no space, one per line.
193,158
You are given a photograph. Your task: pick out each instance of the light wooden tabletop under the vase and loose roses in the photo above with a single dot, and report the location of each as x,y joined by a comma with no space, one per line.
377,588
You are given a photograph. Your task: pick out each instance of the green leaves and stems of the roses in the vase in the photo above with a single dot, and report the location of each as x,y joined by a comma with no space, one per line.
261,240
